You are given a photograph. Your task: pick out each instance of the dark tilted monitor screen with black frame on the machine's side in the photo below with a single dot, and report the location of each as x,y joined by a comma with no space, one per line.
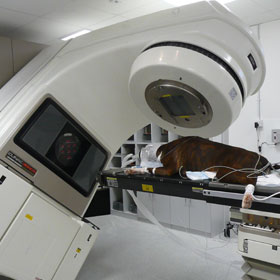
63,146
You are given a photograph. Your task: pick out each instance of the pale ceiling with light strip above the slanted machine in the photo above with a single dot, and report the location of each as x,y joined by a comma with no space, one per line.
47,21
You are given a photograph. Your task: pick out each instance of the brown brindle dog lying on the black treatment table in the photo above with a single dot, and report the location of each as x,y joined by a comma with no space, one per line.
197,154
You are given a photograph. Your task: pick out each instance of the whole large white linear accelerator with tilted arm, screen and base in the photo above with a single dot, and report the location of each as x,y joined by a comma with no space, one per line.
189,70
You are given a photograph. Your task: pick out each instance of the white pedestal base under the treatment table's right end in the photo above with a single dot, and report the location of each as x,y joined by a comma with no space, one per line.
259,244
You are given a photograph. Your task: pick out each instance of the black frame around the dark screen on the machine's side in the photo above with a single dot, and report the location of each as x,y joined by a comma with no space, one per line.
18,140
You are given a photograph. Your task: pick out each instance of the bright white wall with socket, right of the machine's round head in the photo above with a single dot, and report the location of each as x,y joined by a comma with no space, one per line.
242,133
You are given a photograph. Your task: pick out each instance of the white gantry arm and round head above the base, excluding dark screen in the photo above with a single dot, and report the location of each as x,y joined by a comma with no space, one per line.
100,81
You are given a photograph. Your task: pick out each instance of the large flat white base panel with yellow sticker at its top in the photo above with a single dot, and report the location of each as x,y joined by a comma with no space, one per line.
37,240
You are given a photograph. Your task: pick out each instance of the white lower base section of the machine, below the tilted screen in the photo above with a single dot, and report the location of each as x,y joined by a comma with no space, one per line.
40,239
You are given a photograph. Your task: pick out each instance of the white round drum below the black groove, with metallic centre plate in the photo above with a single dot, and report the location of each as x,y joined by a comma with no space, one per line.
185,91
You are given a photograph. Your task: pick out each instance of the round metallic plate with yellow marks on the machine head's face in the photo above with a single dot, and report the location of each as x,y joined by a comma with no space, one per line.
178,104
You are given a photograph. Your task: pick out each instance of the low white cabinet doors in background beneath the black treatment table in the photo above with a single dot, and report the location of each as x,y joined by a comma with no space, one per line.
194,215
